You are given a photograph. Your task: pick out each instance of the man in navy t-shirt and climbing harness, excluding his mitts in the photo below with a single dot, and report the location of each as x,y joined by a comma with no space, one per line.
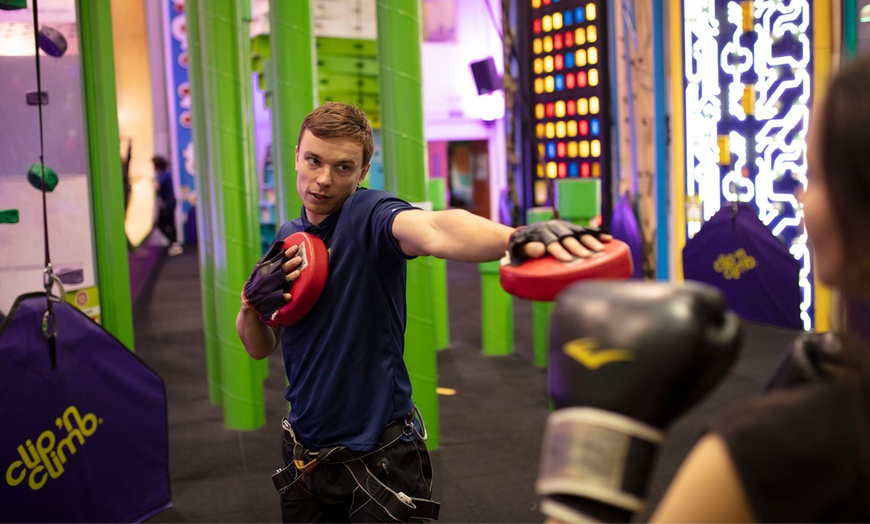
352,439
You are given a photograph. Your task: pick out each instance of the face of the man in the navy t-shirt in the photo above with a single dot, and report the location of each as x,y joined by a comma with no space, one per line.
329,171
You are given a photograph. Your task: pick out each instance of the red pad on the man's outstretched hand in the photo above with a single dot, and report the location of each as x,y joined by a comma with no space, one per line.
544,278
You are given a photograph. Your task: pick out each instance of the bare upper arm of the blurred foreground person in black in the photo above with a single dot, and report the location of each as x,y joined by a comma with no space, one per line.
706,488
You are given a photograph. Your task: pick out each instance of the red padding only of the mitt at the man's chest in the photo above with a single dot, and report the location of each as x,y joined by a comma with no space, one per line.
306,289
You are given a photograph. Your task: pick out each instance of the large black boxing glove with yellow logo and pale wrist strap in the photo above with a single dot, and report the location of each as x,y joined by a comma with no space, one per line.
626,359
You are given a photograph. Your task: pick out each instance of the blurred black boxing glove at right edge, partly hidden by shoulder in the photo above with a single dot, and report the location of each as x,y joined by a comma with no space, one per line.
814,357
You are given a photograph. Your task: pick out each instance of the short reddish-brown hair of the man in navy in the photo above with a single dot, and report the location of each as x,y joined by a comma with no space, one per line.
341,120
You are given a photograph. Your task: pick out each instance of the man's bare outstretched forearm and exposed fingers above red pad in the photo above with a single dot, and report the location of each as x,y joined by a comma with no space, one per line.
456,234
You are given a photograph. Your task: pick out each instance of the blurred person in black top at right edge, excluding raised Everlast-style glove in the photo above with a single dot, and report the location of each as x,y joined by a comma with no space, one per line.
801,453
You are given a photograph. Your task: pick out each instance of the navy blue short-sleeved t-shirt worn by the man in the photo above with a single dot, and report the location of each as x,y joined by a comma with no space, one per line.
344,359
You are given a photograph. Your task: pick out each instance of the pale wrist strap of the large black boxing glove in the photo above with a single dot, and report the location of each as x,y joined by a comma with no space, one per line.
597,455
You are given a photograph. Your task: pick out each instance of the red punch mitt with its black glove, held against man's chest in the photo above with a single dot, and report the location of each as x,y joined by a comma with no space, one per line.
264,290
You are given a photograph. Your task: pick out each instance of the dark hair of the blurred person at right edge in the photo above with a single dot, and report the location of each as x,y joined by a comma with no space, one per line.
845,154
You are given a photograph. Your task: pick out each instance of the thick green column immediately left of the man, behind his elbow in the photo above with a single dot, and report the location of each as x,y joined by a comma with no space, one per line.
228,140
